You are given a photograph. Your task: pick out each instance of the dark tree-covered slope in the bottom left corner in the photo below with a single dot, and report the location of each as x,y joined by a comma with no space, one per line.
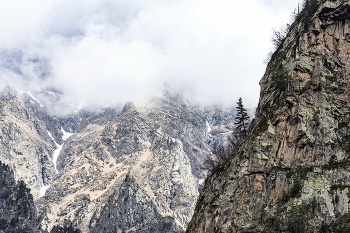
17,209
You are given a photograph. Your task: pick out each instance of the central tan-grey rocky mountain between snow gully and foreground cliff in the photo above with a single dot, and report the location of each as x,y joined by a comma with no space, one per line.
137,172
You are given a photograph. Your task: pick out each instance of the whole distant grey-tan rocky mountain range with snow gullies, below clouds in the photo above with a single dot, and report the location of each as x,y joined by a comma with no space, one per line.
136,169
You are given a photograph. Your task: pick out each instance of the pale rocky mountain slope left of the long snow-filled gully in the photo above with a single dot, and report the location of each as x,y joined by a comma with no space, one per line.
25,144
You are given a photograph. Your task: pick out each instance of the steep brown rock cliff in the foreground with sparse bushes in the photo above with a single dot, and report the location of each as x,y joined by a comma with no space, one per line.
291,173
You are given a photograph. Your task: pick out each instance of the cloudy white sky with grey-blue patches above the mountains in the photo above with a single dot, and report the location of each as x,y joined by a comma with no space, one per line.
107,52
